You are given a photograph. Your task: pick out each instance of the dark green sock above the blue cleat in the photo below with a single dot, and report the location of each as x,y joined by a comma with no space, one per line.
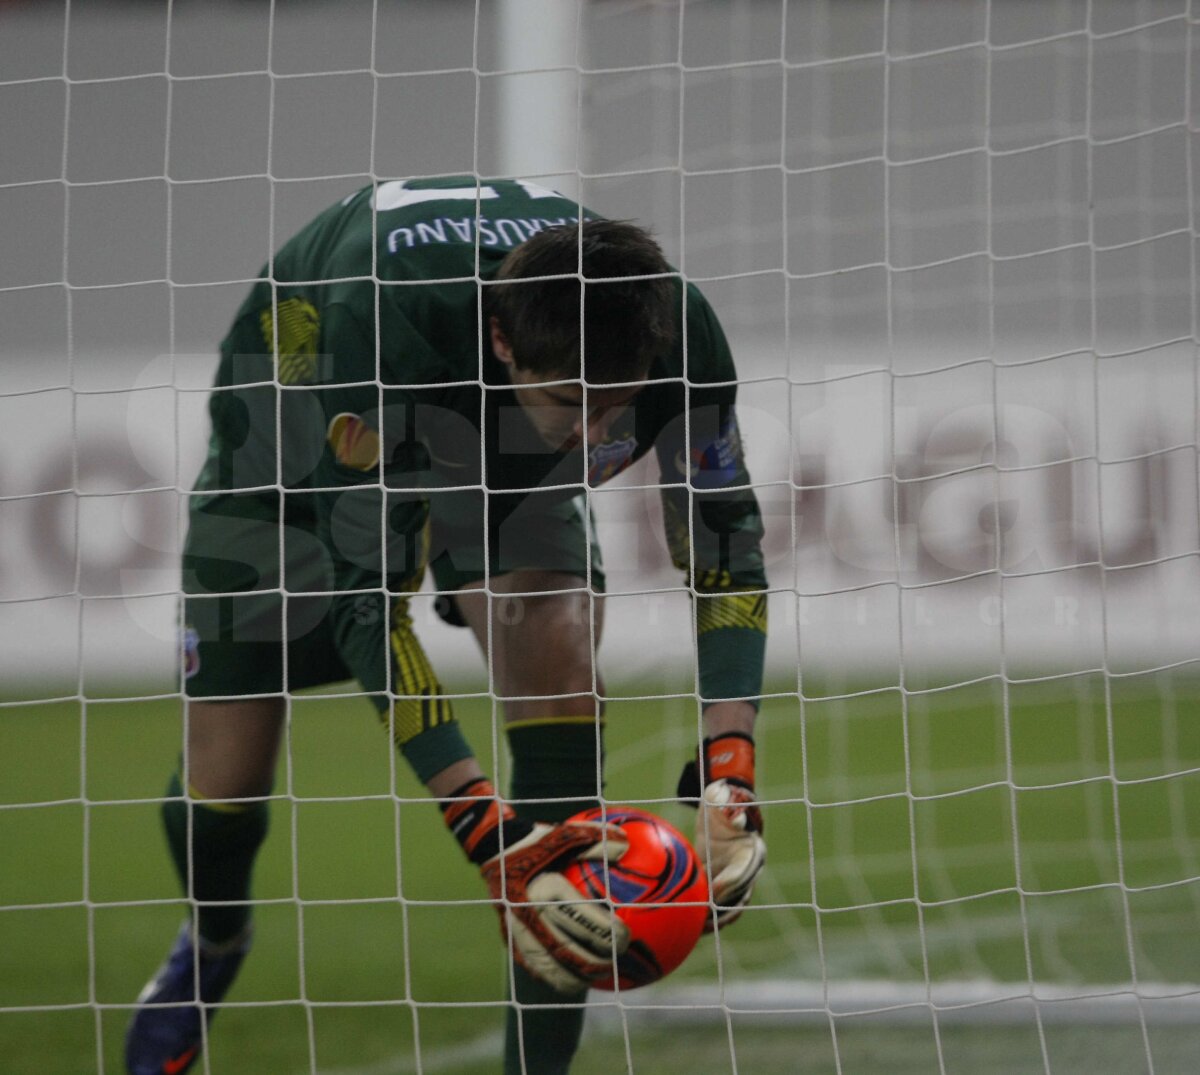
224,844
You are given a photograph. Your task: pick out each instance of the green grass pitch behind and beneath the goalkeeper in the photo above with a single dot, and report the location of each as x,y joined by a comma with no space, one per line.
1042,832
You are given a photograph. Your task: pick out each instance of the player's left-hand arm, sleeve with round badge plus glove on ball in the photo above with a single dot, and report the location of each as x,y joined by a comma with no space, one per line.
375,513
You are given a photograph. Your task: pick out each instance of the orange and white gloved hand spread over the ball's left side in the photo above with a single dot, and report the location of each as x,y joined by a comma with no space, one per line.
557,935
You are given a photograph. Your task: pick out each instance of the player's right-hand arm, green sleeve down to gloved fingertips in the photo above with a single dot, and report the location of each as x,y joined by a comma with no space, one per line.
715,533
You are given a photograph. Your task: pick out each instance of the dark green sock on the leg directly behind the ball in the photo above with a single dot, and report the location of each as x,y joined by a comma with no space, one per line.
550,759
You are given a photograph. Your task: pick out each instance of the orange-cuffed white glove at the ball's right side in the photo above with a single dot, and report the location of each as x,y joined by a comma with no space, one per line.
729,824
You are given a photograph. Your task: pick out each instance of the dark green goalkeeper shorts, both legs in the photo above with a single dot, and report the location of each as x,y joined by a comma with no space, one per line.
259,582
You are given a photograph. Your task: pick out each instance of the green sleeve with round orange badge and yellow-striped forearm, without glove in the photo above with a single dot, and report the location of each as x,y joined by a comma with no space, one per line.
374,513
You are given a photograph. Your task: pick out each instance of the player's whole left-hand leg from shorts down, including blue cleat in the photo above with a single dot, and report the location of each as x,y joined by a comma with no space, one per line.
244,648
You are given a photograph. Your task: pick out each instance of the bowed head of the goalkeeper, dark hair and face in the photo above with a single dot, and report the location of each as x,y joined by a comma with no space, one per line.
608,279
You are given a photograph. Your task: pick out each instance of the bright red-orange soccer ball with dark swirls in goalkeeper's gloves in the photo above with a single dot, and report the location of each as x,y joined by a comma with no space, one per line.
658,890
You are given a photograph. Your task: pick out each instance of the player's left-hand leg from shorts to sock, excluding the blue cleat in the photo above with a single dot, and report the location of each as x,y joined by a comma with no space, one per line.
245,650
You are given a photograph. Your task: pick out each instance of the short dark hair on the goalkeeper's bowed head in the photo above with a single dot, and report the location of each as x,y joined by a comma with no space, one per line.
631,302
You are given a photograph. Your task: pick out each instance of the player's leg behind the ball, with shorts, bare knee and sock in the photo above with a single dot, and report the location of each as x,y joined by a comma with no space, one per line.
532,600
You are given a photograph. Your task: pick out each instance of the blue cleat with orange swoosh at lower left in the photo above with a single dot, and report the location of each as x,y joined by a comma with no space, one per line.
167,1031
